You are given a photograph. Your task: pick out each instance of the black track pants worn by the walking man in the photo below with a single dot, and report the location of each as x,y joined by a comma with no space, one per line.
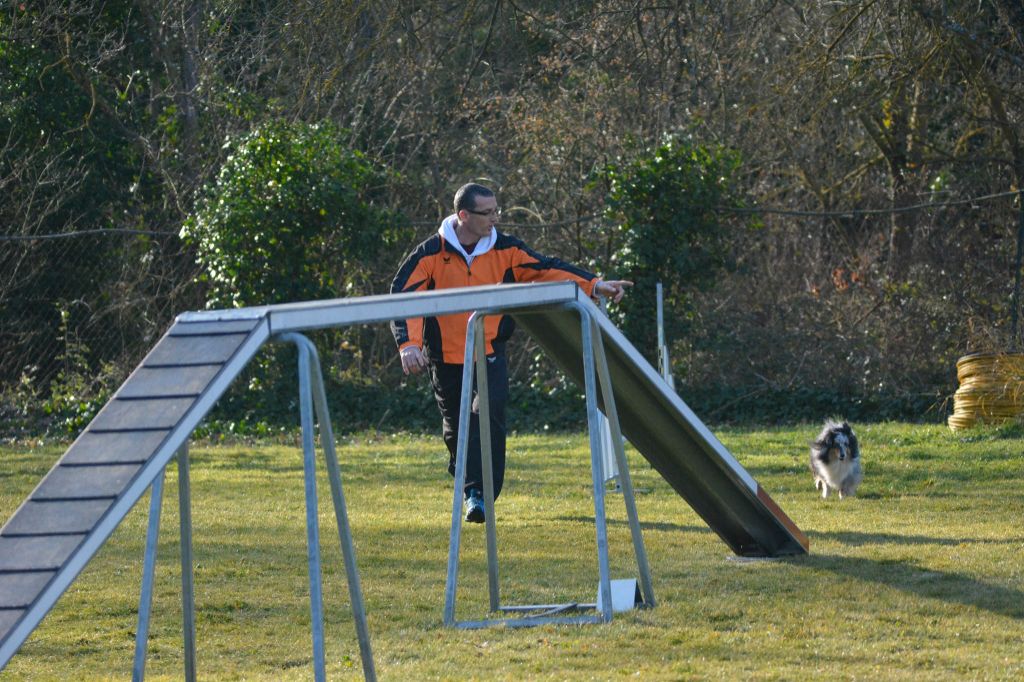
447,381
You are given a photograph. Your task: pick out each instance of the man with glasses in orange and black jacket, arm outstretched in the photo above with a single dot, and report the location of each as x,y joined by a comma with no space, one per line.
470,251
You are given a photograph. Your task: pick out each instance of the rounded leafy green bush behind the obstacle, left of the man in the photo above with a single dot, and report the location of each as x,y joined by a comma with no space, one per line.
293,216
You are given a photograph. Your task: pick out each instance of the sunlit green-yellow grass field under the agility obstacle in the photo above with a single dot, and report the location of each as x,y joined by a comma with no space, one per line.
918,578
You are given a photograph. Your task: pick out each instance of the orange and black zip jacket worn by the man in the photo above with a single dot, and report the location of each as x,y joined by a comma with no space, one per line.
438,265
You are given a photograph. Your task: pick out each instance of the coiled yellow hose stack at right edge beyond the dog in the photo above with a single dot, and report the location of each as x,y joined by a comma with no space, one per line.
992,391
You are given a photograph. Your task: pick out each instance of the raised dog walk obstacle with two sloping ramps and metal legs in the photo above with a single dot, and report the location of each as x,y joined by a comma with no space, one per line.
125,450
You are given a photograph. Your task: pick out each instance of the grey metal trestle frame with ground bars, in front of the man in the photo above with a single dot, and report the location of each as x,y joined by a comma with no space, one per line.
595,362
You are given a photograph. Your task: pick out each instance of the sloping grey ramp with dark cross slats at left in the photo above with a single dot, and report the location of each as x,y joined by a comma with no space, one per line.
79,503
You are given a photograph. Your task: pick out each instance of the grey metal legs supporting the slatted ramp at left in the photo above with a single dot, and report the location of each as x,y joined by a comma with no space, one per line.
312,397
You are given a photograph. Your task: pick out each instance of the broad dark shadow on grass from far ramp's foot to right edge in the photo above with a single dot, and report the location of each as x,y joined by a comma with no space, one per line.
907,577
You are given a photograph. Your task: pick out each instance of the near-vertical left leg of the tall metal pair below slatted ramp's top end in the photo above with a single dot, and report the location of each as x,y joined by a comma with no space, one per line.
313,523
